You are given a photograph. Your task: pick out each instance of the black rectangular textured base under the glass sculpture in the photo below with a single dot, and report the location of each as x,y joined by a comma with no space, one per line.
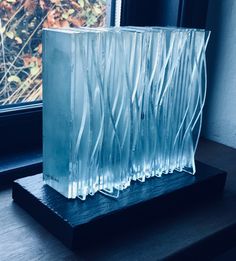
79,223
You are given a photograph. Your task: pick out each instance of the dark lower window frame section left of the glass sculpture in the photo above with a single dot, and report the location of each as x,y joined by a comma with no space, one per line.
21,141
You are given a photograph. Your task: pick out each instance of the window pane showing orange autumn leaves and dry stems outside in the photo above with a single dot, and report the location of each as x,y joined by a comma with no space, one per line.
21,23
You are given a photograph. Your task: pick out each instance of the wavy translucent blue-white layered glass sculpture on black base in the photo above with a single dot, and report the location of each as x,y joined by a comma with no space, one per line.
120,104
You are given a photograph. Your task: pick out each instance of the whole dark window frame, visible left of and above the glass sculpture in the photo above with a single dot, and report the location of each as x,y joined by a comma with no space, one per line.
21,155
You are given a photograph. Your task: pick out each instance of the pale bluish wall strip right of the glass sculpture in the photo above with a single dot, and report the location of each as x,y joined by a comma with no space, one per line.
220,110
